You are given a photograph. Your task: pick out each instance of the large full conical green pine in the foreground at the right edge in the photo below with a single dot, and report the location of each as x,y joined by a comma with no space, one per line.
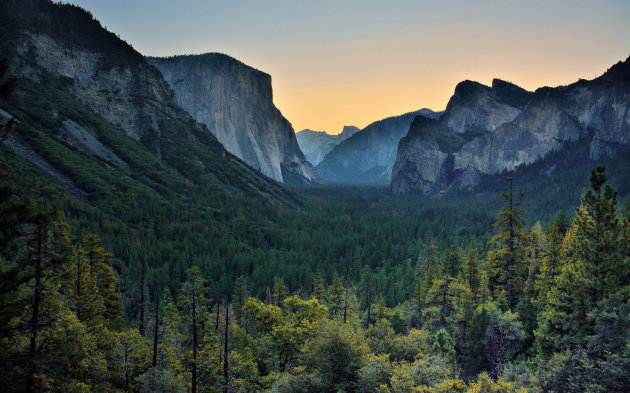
594,277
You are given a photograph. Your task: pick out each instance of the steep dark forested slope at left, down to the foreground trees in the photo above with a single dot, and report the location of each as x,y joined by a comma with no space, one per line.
97,122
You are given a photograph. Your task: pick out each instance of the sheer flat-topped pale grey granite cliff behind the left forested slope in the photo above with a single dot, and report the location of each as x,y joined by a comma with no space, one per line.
235,102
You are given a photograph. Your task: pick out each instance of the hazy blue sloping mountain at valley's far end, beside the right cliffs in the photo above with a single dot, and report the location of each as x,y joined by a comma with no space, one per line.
367,157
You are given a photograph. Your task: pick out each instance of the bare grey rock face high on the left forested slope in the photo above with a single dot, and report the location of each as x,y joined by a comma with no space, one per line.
130,94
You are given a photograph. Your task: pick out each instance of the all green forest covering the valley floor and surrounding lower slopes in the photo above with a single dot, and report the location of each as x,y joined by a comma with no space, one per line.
191,272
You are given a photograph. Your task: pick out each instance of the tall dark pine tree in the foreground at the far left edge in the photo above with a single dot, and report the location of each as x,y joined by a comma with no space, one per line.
41,248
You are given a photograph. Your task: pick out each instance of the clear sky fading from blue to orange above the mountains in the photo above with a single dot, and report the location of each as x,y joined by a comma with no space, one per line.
352,62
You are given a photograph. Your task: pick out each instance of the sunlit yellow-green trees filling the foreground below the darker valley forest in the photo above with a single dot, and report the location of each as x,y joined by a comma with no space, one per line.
534,308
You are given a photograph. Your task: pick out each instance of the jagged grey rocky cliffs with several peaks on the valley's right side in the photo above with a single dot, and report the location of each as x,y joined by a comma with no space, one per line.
488,130
